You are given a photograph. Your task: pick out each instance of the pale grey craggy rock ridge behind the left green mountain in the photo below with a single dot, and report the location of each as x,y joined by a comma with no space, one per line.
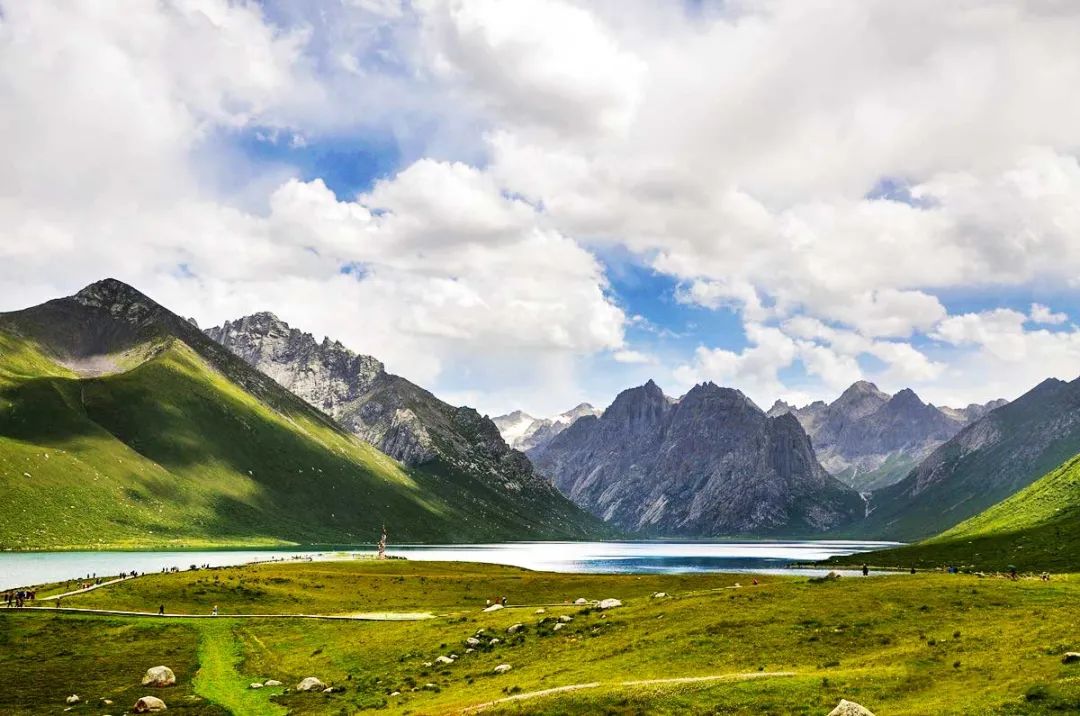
400,418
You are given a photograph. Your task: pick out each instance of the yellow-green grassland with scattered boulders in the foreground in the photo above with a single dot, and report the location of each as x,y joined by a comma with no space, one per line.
901,645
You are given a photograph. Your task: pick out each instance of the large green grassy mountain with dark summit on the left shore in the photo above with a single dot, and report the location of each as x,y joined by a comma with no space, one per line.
123,426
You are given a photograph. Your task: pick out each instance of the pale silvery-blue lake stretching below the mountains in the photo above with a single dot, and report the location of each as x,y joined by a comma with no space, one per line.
23,570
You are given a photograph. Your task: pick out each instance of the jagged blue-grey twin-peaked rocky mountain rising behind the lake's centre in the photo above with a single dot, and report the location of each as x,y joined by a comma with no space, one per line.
711,464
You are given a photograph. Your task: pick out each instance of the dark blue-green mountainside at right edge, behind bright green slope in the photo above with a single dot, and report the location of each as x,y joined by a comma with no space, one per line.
987,463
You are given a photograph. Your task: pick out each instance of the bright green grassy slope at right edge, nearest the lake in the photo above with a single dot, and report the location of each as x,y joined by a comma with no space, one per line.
1035,530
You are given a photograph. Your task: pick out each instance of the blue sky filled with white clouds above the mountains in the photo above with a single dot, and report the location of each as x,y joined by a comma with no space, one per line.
535,204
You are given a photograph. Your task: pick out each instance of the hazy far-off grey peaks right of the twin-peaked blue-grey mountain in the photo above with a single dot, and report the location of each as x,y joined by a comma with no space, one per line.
870,440
